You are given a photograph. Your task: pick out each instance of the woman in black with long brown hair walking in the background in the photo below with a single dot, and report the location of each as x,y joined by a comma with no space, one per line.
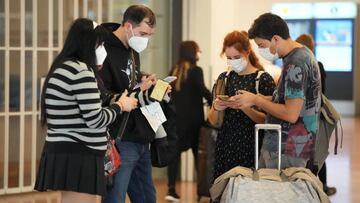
189,91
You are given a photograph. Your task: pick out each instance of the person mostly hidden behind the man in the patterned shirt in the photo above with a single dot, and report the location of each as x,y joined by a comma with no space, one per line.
308,41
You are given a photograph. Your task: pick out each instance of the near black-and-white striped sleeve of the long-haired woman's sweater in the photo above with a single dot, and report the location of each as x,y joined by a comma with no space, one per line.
86,92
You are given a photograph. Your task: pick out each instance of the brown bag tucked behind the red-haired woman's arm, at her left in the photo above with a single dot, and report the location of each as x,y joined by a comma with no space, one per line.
219,89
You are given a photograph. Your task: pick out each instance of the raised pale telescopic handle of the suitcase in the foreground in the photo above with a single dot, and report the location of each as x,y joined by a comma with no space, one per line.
266,127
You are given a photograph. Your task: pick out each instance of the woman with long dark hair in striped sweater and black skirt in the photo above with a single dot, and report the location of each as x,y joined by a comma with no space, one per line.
71,109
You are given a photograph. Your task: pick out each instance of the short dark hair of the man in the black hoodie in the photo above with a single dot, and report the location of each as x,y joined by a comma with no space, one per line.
135,14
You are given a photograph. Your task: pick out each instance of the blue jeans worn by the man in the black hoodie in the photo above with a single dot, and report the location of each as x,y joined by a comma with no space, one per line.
134,175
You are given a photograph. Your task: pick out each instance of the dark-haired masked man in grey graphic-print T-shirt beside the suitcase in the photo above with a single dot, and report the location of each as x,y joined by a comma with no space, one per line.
296,101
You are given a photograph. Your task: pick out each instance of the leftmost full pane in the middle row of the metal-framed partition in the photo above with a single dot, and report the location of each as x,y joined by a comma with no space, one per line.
14,80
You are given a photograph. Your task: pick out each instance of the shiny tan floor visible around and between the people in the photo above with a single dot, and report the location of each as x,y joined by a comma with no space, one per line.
343,172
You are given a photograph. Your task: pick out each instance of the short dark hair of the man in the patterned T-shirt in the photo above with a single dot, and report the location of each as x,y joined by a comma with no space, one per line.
267,25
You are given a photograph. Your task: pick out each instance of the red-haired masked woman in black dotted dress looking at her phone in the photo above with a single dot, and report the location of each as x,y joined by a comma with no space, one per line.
235,144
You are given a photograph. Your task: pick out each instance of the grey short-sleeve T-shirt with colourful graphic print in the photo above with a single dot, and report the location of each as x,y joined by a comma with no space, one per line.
300,78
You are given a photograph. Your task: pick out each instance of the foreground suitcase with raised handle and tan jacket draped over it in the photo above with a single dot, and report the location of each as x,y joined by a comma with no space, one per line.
294,184
